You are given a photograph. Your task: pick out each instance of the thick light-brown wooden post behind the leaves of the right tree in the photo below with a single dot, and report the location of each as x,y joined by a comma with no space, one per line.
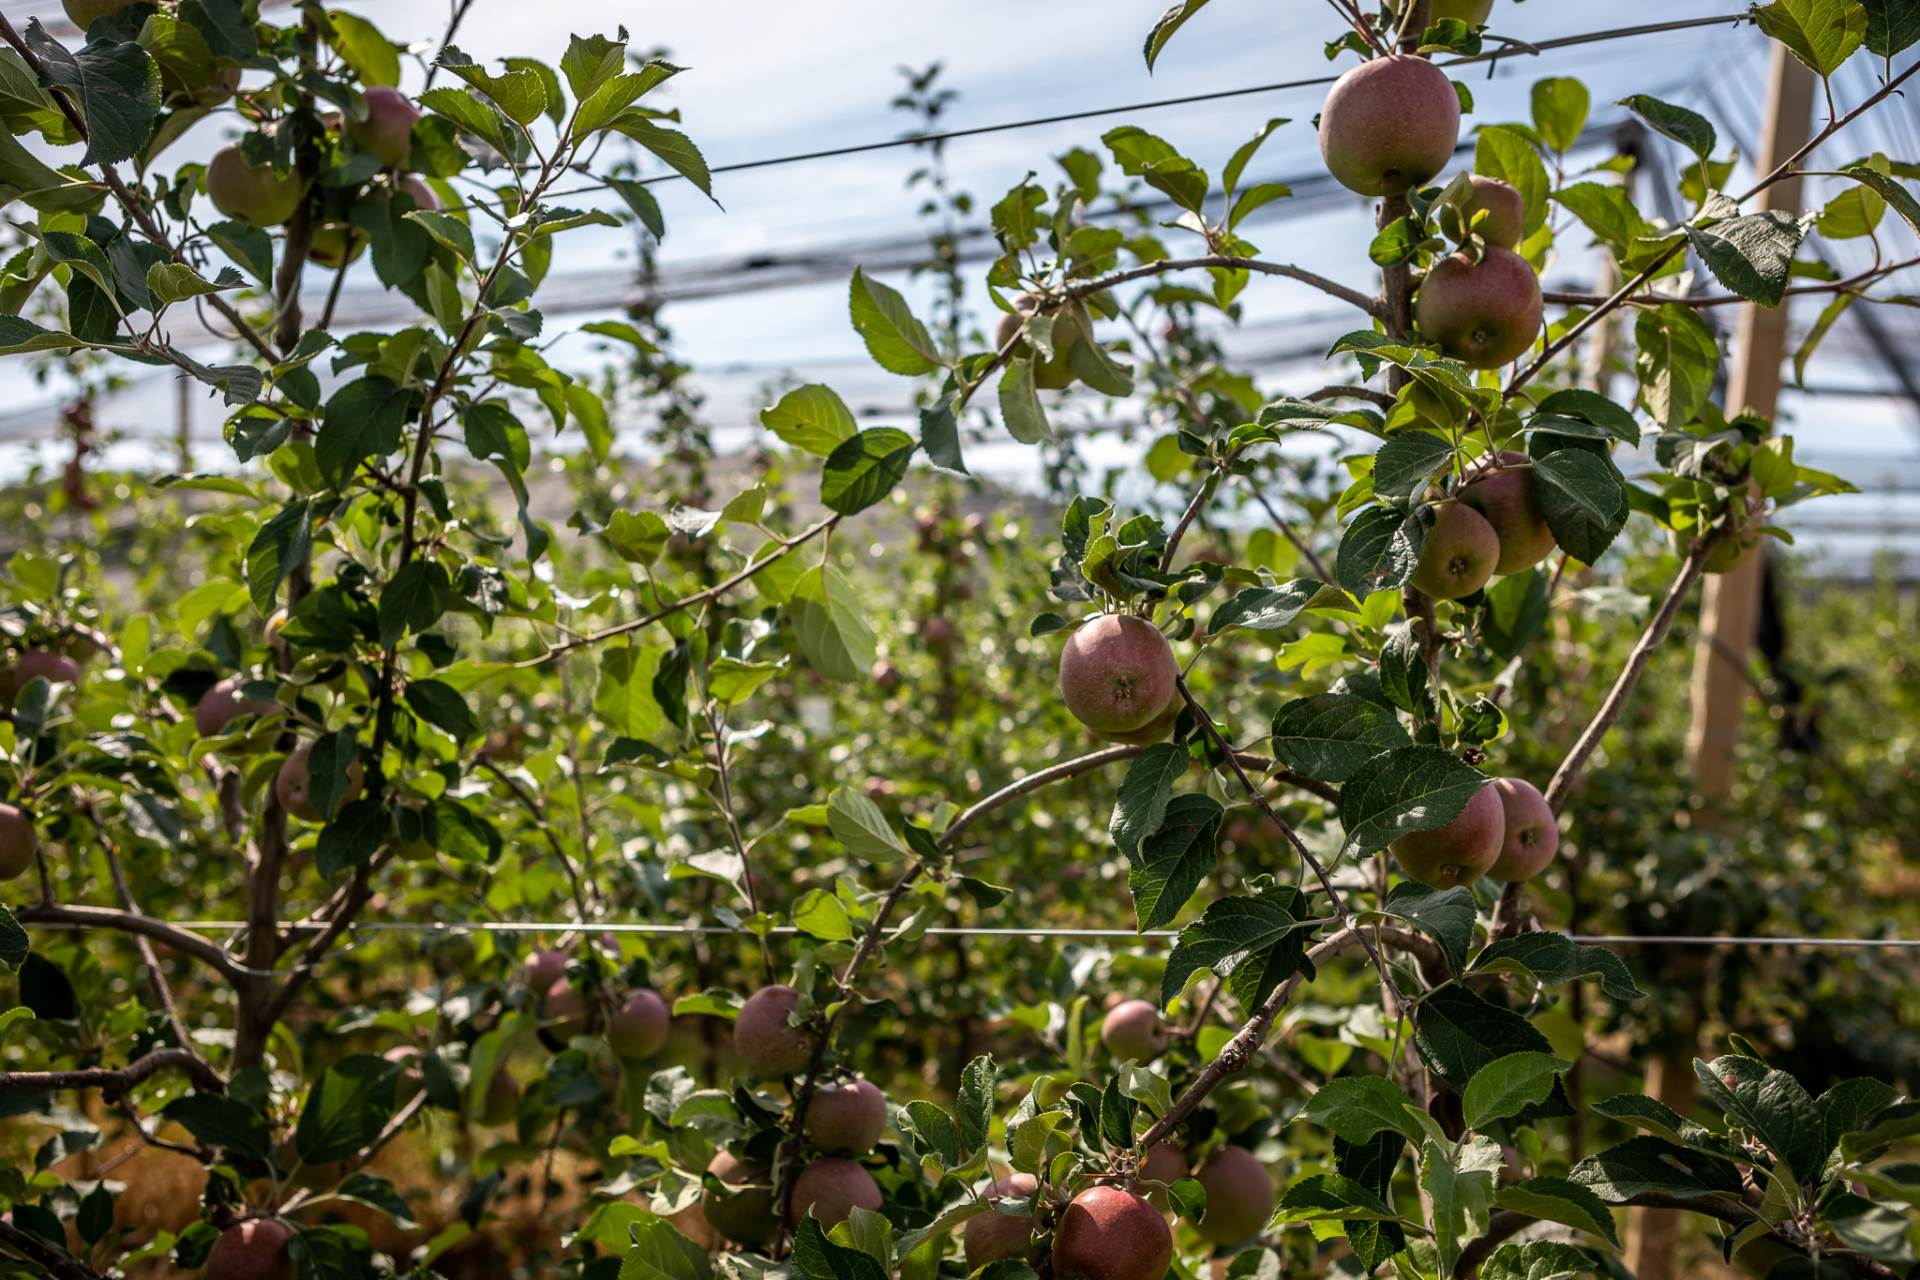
1729,609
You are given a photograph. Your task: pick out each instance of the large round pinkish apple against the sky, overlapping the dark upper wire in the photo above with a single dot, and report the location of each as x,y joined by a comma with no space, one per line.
1389,126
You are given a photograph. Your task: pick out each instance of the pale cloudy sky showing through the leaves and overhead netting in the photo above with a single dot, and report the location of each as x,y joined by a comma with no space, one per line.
769,78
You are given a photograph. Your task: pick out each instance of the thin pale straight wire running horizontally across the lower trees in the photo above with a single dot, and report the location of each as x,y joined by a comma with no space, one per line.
957,932
